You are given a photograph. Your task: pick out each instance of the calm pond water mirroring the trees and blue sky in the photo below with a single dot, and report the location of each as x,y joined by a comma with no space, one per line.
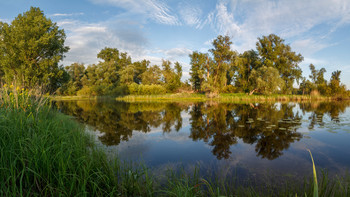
247,141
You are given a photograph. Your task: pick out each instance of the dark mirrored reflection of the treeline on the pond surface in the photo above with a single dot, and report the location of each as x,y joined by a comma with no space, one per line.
270,128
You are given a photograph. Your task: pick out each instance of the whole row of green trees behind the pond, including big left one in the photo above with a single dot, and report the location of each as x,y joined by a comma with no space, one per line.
32,46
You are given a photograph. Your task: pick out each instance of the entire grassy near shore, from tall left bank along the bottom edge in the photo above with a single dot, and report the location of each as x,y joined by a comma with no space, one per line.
46,153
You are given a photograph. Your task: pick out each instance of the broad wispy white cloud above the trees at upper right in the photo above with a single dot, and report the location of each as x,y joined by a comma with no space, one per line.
247,20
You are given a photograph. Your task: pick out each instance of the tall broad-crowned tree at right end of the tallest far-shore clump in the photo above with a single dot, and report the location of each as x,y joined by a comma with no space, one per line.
274,53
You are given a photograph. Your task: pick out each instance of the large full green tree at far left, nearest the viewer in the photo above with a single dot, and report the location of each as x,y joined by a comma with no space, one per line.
30,50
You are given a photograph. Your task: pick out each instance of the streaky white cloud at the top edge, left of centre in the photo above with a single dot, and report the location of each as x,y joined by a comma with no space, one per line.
156,10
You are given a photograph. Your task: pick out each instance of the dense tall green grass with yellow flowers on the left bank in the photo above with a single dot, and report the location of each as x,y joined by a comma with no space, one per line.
45,153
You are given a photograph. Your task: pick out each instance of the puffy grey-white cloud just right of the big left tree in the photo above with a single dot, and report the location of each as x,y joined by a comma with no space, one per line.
87,39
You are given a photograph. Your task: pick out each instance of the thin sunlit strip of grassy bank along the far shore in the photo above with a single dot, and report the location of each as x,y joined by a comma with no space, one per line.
223,97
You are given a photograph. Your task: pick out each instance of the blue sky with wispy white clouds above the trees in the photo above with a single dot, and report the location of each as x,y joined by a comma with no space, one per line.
172,29
